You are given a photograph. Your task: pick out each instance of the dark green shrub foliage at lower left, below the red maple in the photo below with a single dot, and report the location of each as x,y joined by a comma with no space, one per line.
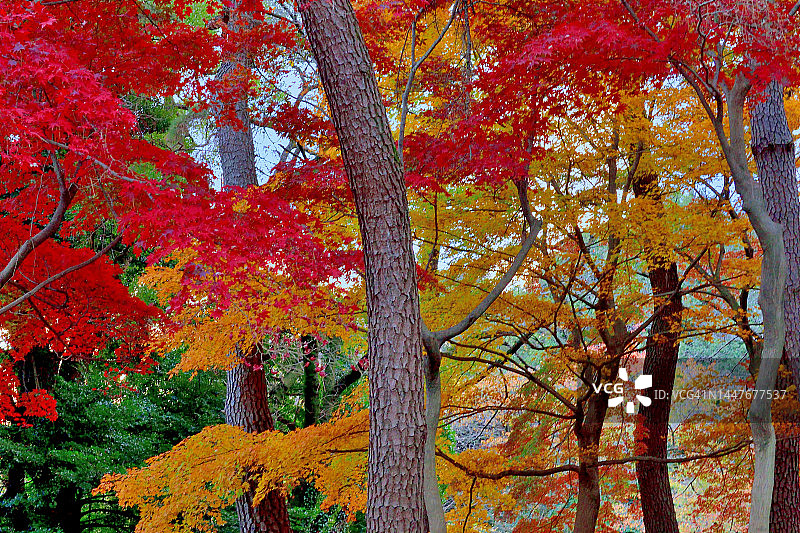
107,422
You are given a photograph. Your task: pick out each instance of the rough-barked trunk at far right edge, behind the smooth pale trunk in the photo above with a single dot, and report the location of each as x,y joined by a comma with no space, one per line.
773,150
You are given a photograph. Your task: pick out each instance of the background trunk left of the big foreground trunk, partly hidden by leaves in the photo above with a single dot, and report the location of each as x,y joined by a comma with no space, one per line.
246,398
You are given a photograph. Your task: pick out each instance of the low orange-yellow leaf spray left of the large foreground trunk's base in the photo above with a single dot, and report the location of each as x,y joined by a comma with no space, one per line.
184,489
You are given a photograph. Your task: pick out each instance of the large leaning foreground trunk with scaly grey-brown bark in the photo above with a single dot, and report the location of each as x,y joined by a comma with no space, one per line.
397,431
